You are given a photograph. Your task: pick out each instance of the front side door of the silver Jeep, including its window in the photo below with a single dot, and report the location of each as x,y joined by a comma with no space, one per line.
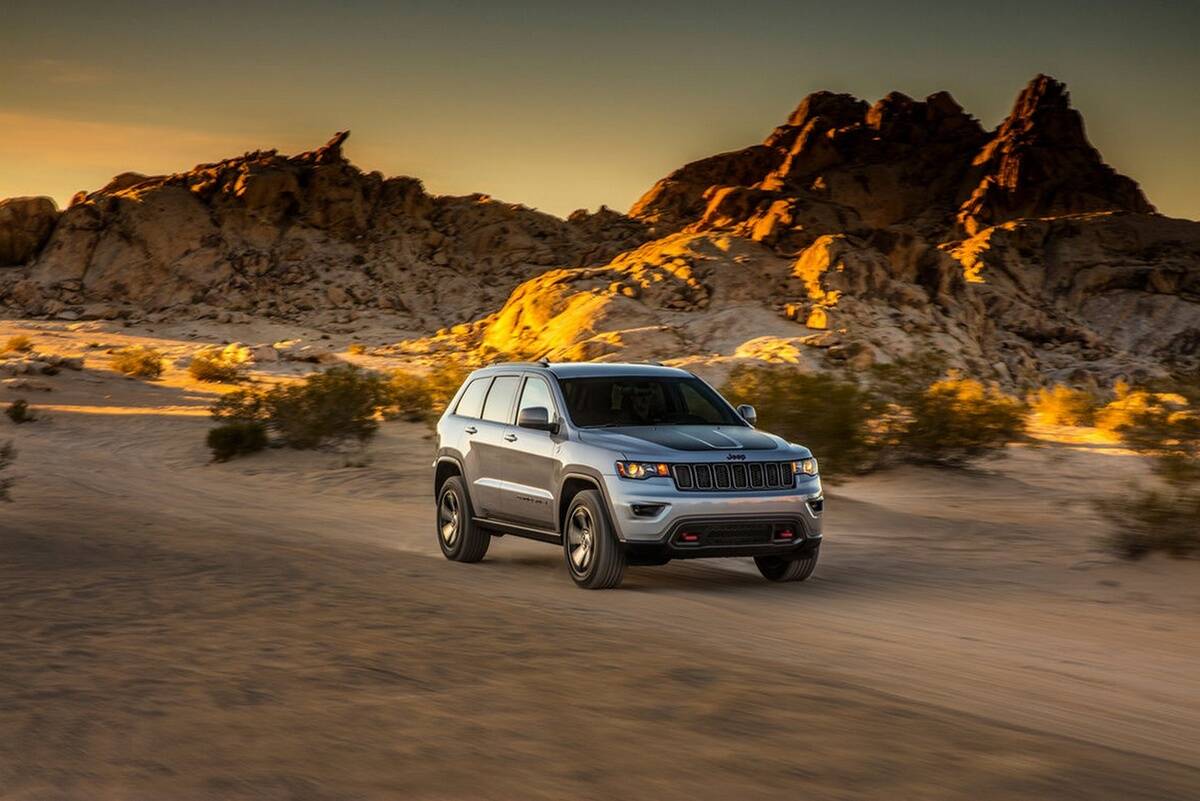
531,479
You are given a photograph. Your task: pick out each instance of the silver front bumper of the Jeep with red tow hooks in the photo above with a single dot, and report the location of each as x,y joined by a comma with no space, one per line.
647,516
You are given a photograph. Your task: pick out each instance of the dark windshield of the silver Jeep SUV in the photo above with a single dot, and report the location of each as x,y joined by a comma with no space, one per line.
645,401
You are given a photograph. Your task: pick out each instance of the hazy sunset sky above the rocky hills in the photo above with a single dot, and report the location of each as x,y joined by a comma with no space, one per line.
560,105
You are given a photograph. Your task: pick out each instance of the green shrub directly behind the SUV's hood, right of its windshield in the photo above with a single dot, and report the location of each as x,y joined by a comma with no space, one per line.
827,415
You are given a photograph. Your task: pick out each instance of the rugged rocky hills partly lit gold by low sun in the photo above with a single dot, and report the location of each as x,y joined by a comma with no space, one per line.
854,234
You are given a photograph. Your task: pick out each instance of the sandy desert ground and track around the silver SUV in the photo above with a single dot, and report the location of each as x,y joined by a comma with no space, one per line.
284,627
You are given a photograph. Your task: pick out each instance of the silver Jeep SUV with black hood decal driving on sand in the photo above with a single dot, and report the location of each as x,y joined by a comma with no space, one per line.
621,465
